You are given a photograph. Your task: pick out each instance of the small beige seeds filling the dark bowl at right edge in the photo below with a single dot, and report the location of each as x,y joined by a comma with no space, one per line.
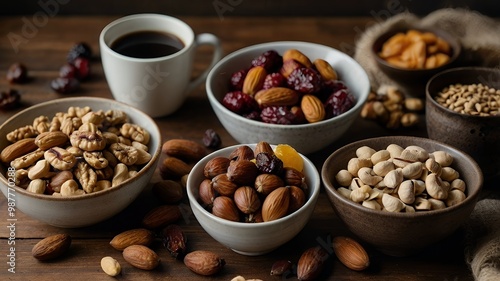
470,99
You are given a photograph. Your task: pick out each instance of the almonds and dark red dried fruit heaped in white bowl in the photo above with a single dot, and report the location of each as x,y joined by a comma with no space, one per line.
288,89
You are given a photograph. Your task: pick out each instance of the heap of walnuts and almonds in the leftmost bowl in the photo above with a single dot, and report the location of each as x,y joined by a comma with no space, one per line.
76,152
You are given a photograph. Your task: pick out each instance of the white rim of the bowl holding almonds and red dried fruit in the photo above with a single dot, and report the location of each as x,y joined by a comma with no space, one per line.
363,95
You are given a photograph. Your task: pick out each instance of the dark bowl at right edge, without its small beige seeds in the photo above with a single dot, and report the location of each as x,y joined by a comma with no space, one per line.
478,136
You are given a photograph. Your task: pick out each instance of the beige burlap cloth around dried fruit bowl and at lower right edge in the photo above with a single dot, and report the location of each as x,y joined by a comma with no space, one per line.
480,39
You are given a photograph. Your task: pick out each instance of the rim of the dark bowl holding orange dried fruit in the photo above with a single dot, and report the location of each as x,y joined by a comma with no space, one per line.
379,40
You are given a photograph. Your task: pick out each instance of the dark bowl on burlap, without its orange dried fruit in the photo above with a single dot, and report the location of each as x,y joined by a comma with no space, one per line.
414,80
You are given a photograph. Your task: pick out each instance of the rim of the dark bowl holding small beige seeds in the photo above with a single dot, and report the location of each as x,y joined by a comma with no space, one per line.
430,96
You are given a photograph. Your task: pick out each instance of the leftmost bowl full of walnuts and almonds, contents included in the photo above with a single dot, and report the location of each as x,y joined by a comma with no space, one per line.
74,162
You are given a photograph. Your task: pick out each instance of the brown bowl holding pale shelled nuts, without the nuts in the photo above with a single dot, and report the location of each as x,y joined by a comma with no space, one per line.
401,234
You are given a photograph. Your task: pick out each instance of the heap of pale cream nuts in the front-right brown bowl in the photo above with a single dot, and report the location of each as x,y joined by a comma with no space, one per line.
398,179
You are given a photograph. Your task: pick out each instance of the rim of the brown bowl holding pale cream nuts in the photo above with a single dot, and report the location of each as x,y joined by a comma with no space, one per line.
325,174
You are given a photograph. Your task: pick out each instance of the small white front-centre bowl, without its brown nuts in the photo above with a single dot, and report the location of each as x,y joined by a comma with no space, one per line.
252,238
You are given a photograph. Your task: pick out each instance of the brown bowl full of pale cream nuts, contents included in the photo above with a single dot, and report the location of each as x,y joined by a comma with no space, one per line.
401,194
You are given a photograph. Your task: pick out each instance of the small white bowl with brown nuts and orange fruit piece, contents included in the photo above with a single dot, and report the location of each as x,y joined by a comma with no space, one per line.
249,204
